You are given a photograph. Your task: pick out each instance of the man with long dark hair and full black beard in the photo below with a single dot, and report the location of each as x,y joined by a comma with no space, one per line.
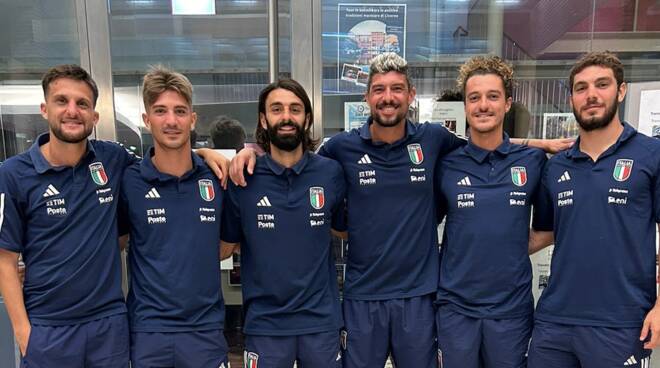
282,222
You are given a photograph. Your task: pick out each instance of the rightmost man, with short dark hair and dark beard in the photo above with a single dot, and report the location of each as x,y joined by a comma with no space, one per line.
600,307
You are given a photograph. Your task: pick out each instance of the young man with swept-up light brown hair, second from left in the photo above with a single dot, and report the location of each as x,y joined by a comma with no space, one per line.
171,203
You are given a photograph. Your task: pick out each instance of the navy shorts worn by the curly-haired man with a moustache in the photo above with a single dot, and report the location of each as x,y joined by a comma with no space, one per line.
467,342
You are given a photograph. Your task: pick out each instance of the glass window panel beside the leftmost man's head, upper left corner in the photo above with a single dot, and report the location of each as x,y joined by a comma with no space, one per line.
35,36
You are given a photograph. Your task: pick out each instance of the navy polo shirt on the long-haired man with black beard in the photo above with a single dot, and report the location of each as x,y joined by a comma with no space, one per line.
282,220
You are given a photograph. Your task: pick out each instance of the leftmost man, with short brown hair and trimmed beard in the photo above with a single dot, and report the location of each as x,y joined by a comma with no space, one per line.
58,205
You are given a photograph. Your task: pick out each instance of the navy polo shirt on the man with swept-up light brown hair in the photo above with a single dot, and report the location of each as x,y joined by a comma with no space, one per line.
174,254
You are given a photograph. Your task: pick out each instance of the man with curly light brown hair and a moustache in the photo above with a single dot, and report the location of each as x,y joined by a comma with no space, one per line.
486,190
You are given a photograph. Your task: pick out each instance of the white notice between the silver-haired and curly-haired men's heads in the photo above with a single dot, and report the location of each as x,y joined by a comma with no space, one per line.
451,114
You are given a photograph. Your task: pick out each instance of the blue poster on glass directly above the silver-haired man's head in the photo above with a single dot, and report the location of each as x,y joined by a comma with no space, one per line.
364,31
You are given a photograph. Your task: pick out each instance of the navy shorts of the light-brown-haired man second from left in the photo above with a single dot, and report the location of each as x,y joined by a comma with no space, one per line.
192,349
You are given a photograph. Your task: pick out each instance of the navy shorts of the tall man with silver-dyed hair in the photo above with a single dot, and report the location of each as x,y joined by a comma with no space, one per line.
404,328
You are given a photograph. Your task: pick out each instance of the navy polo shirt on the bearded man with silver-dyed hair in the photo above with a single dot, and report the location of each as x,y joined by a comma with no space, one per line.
393,242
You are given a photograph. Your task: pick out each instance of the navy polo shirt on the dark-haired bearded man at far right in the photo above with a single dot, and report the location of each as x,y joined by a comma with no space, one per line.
603,268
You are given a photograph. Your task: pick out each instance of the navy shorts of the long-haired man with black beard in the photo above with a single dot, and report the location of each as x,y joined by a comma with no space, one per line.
319,350
